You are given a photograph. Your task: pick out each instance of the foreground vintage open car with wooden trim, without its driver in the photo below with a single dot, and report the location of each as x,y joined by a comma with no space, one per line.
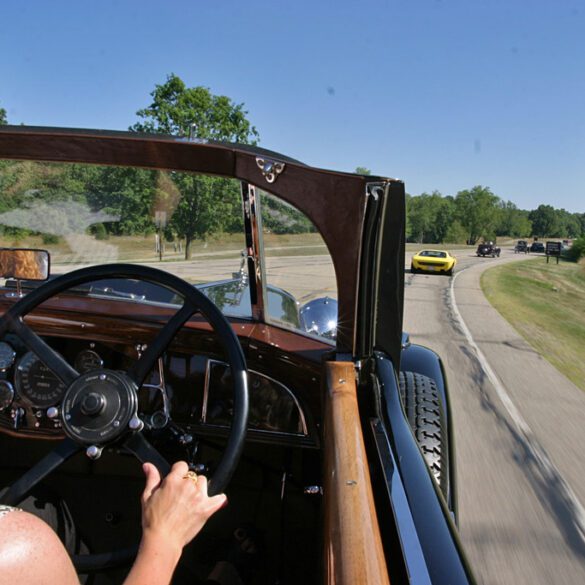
277,366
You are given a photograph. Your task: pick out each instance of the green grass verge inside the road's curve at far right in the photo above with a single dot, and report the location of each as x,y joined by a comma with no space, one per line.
545,303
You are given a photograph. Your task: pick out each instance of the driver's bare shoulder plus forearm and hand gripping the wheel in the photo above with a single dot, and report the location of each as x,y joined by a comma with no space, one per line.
174,510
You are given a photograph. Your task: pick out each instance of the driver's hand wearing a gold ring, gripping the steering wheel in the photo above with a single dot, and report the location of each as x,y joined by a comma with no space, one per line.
175,509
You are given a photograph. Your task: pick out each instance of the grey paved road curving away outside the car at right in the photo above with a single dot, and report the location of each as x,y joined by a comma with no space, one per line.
519,429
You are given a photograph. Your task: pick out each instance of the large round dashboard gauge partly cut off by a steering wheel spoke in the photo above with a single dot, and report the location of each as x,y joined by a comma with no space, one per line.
36,384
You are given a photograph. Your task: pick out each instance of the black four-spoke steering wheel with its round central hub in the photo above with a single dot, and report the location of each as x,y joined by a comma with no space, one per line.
100,408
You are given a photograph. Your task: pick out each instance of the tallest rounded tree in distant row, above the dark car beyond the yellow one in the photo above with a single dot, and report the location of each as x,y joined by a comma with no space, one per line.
478,211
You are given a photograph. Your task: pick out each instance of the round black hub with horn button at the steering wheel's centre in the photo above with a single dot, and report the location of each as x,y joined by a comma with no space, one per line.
98,406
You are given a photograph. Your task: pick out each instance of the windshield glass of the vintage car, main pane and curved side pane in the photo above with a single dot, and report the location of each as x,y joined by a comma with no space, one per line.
186,224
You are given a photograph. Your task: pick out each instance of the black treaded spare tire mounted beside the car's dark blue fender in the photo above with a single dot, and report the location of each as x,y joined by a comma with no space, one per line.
424,412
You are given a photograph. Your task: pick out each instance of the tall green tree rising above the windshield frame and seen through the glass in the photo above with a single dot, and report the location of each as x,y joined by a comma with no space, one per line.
207,204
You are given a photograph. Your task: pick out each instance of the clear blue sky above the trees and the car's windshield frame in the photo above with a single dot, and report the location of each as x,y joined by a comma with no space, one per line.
444,94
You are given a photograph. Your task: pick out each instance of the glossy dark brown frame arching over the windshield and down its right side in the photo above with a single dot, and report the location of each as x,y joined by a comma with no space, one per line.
334,202
